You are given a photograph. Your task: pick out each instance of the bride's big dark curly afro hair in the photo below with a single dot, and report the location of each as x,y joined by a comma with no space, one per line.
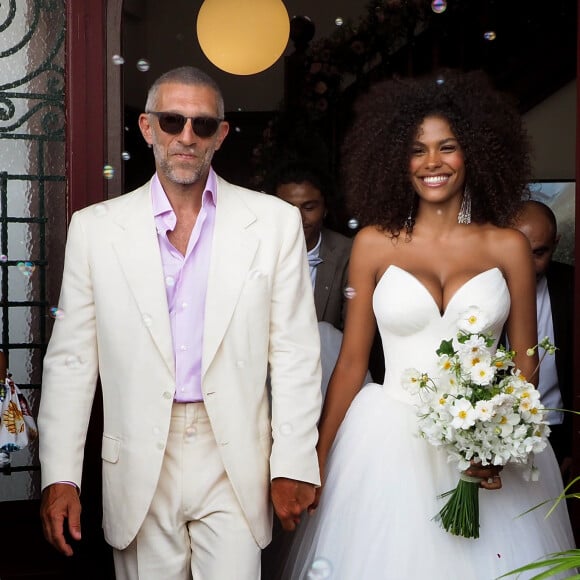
376,149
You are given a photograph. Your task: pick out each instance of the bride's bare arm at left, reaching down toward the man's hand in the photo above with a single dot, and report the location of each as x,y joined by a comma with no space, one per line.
352,364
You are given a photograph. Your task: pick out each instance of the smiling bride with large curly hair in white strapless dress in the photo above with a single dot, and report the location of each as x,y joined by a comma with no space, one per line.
436,170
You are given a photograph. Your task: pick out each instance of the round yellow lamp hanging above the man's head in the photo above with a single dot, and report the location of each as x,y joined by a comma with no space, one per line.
243,37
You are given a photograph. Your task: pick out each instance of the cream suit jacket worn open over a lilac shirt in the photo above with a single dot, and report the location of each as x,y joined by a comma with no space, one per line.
259,310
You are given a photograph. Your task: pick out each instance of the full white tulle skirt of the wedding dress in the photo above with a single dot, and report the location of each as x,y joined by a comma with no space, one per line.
375,518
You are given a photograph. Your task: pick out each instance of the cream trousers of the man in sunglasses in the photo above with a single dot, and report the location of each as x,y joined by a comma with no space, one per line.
195,528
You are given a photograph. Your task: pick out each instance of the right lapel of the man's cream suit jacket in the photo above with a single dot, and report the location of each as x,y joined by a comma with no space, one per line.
233,249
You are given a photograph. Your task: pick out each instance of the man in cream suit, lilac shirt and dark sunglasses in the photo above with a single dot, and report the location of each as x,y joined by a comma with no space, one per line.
179,295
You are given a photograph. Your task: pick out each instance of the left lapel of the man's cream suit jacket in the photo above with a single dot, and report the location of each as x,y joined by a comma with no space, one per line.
137,250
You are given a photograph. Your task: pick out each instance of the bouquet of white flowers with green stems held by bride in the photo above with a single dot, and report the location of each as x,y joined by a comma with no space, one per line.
481,409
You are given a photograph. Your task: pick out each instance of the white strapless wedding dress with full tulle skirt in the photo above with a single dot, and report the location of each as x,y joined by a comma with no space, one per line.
375,518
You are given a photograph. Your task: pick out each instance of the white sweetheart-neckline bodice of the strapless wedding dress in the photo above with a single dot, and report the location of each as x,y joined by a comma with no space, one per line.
412,327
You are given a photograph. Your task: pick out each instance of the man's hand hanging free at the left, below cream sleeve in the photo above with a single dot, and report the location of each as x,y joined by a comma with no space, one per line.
60,502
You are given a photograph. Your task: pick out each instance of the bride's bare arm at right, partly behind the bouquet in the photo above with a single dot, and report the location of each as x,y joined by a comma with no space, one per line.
521,325
